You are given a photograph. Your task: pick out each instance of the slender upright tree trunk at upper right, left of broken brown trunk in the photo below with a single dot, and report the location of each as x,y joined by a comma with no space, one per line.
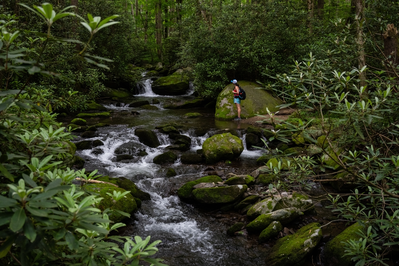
360,19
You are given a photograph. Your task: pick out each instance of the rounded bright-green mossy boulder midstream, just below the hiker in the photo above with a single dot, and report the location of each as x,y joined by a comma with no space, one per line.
222,147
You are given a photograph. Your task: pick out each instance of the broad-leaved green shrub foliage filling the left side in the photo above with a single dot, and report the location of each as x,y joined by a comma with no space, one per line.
44,218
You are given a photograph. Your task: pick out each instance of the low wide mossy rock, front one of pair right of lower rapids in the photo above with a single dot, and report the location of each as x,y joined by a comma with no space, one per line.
219,195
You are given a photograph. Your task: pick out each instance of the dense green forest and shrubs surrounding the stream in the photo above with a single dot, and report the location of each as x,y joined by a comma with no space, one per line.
334,60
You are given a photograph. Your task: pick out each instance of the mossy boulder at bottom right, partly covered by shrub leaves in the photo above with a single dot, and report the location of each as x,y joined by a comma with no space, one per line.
335,249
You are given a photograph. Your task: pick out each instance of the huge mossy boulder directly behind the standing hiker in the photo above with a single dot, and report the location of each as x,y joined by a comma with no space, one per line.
256,102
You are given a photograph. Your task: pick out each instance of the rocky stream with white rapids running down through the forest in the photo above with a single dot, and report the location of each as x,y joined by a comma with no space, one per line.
189,236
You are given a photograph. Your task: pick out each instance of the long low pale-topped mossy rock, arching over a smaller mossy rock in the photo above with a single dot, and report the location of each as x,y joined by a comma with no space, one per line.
284,216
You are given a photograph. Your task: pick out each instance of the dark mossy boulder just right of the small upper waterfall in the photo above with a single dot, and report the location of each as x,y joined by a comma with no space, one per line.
175,84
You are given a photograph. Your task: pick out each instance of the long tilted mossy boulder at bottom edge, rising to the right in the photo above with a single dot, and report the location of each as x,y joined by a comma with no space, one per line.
292,249
